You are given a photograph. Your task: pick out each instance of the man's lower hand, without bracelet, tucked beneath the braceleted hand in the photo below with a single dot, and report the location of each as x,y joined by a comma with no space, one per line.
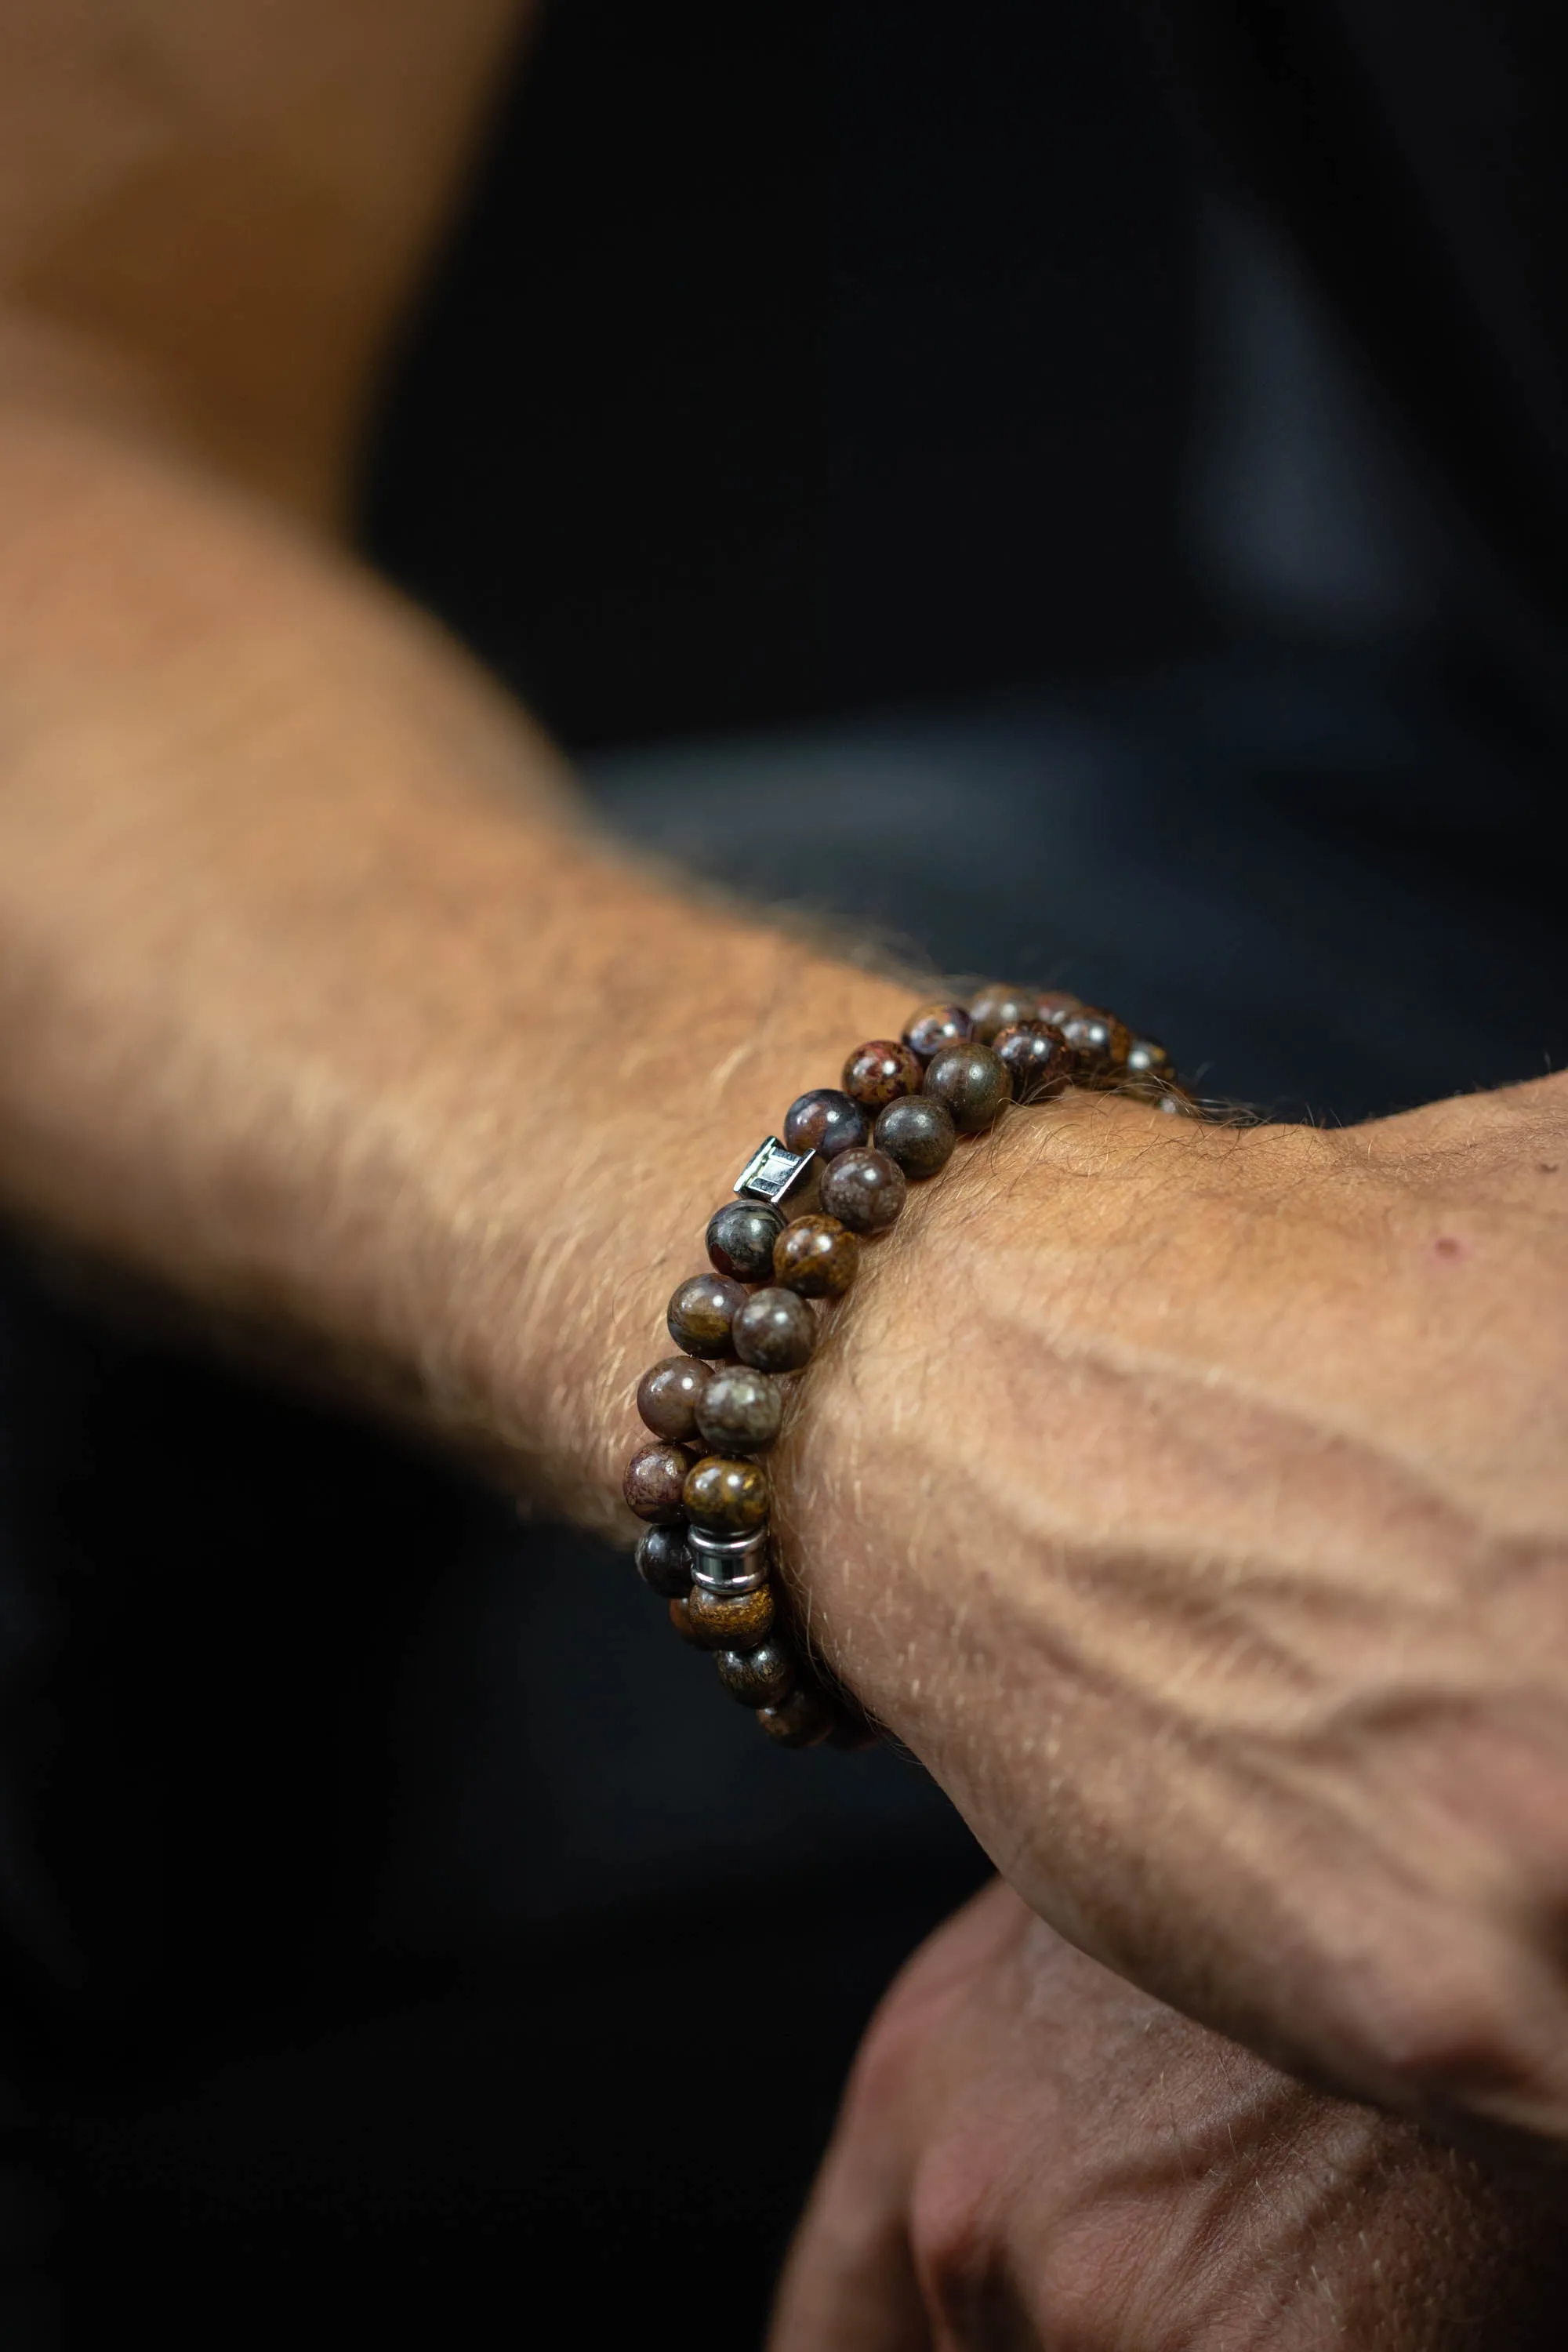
1033,2153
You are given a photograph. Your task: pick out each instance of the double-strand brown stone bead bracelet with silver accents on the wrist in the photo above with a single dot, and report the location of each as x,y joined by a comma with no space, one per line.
751,1323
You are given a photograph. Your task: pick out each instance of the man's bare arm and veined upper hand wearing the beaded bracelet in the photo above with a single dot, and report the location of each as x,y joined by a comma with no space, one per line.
1219,1572
